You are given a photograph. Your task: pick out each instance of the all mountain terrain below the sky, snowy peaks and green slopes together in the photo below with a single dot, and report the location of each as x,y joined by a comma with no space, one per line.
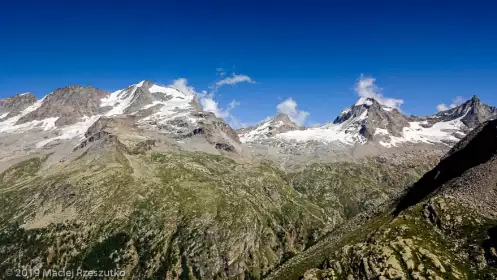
143,180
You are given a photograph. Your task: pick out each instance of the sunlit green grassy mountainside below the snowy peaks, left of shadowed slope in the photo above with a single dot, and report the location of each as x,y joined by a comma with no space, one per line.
187,215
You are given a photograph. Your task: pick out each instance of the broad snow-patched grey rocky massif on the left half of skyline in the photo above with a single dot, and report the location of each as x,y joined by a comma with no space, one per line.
65,115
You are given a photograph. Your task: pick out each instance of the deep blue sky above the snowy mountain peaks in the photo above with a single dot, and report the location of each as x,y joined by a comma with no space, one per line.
425,52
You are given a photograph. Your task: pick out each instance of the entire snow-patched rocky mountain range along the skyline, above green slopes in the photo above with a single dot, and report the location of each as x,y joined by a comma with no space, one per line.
66,114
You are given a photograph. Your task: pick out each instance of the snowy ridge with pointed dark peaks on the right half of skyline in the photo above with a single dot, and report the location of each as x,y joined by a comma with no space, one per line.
367,121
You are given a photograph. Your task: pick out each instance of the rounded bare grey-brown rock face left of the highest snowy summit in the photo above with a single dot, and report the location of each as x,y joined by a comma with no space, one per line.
69,104
